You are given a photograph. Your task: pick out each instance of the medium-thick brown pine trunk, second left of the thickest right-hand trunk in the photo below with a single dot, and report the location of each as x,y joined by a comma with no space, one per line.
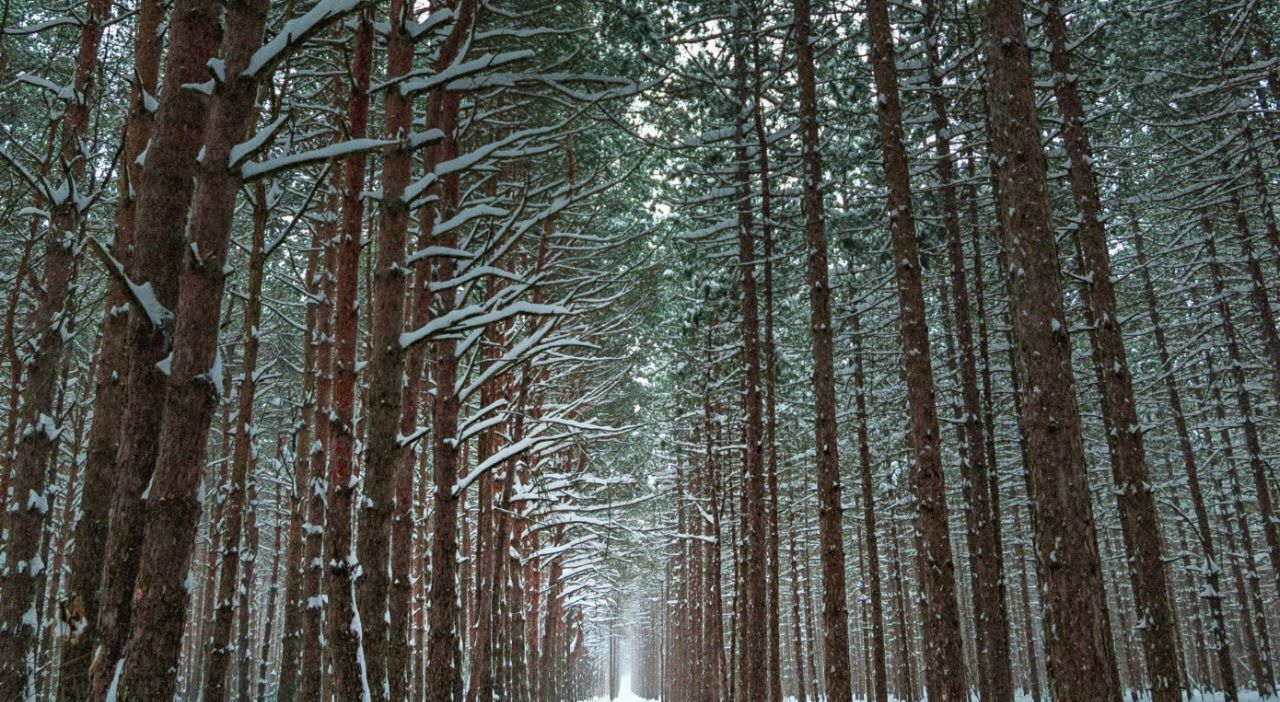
944,649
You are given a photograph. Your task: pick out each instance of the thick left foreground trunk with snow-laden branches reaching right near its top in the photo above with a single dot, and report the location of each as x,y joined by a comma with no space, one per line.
195,380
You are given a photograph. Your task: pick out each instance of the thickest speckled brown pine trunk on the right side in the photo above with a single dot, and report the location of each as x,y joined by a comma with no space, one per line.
1077,633
